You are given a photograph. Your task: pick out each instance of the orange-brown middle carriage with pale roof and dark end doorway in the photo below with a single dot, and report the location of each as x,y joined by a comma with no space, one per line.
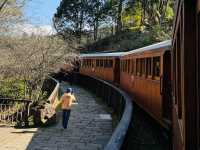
145,74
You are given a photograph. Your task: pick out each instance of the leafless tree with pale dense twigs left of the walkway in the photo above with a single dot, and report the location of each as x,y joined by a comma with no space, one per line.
31,59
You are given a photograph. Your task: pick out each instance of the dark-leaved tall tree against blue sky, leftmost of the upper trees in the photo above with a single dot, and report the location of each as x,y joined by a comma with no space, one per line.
70,18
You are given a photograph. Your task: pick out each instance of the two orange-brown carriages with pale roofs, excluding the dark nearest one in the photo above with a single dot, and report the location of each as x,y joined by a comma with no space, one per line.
145,73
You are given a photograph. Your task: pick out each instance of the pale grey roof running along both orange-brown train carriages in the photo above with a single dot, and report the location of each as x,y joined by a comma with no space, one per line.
165,45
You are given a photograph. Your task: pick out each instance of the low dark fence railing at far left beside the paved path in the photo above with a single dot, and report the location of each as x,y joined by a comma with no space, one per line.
14,111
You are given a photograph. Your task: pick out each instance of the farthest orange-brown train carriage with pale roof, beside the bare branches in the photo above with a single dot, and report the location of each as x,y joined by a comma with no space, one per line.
103,65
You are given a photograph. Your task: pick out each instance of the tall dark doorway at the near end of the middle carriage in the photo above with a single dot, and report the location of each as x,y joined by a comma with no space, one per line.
166,87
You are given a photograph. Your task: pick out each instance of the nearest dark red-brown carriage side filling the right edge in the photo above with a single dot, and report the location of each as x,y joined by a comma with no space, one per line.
186,76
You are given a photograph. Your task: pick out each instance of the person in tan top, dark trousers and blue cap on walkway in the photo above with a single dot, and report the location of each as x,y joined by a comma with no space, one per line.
66,103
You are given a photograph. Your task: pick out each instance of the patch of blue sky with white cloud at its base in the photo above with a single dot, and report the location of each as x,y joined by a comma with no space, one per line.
38,18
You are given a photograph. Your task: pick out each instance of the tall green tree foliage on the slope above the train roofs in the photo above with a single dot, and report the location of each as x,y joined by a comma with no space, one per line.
104,18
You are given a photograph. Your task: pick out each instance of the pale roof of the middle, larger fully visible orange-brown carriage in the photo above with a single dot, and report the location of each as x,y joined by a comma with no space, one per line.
166,45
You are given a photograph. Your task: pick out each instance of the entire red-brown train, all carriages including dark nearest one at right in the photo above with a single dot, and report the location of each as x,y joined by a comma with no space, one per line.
163,78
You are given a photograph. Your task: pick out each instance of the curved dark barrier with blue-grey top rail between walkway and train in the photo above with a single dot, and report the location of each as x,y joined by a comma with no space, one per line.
115,98
